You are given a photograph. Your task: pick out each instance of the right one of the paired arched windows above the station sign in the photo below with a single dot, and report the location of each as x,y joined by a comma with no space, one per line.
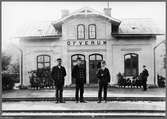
92,31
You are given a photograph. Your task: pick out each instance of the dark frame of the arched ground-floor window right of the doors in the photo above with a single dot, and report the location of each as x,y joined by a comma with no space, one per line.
131,67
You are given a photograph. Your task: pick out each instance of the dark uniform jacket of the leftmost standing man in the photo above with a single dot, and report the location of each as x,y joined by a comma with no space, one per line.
58,75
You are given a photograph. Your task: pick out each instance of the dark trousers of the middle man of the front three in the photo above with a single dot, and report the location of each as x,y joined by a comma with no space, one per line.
79,88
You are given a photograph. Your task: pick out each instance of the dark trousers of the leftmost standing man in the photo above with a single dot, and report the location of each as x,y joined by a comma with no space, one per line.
59,93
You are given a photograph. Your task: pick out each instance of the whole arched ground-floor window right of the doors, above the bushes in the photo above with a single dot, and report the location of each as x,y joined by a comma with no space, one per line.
131,64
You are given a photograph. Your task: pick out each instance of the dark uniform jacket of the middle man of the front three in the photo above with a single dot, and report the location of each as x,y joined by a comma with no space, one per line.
76,74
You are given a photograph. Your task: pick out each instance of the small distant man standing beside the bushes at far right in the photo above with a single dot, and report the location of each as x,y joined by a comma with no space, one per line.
145,74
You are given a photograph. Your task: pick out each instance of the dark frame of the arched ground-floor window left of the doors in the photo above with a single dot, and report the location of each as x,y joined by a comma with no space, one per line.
43,62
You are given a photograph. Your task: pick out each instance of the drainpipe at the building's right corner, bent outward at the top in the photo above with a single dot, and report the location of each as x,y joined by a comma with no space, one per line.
155,60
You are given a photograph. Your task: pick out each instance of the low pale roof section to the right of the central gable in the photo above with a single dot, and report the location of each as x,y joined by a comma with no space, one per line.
138,26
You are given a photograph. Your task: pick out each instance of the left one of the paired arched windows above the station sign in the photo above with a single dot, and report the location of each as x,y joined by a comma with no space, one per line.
80,32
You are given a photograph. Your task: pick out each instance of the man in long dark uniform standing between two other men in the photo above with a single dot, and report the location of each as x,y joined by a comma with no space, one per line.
79,74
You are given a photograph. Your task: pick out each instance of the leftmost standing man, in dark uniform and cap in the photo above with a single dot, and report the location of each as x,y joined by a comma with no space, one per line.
58,74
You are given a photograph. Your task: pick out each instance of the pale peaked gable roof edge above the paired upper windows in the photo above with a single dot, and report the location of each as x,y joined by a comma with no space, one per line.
87,11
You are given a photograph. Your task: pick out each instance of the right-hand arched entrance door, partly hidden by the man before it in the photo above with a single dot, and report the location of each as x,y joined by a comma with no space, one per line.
94,64
